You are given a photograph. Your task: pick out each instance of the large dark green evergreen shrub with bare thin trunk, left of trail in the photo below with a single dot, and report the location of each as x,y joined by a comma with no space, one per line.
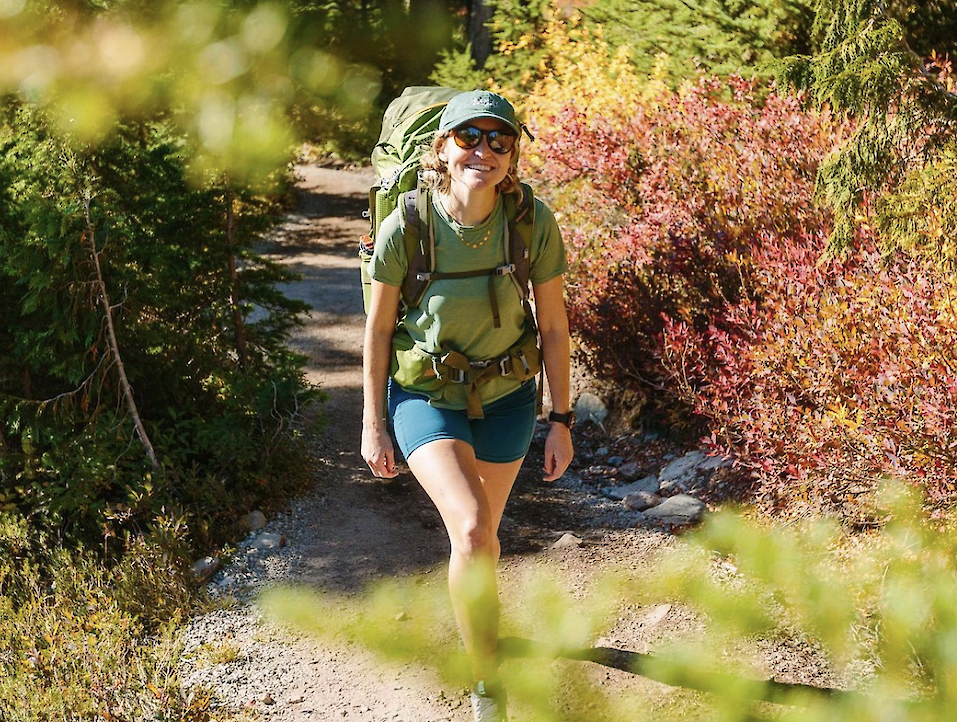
217,395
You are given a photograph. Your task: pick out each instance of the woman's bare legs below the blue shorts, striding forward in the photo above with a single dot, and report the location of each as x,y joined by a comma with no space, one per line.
470,496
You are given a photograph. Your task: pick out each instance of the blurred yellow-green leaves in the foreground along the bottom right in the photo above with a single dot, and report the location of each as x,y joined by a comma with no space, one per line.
872,618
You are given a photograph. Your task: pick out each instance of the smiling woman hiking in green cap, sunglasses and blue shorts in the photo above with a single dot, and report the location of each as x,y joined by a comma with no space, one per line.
465,428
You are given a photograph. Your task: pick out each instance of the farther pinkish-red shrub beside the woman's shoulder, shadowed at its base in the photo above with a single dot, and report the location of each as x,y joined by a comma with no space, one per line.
666,203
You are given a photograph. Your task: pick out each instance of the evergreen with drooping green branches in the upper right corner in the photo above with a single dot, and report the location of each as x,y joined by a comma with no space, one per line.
877,64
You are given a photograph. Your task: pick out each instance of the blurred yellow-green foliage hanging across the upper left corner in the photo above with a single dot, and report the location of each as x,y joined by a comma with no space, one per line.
233,78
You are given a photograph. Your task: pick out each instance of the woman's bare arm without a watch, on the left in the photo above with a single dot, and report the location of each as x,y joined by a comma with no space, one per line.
377,449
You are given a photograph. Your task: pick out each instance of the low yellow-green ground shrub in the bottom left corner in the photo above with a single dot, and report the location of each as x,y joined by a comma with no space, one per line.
73,648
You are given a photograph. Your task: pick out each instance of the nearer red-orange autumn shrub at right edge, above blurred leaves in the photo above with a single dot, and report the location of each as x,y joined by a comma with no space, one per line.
844,374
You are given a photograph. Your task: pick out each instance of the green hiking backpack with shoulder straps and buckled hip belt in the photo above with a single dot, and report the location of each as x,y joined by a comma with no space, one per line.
408,128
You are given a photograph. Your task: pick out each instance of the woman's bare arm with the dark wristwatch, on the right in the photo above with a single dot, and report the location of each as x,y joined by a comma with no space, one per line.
556,350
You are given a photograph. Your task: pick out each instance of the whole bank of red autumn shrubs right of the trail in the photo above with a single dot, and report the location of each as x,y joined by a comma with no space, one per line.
697,278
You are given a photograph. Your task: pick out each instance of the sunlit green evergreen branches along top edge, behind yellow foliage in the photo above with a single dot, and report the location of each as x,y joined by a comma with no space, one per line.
677,37
